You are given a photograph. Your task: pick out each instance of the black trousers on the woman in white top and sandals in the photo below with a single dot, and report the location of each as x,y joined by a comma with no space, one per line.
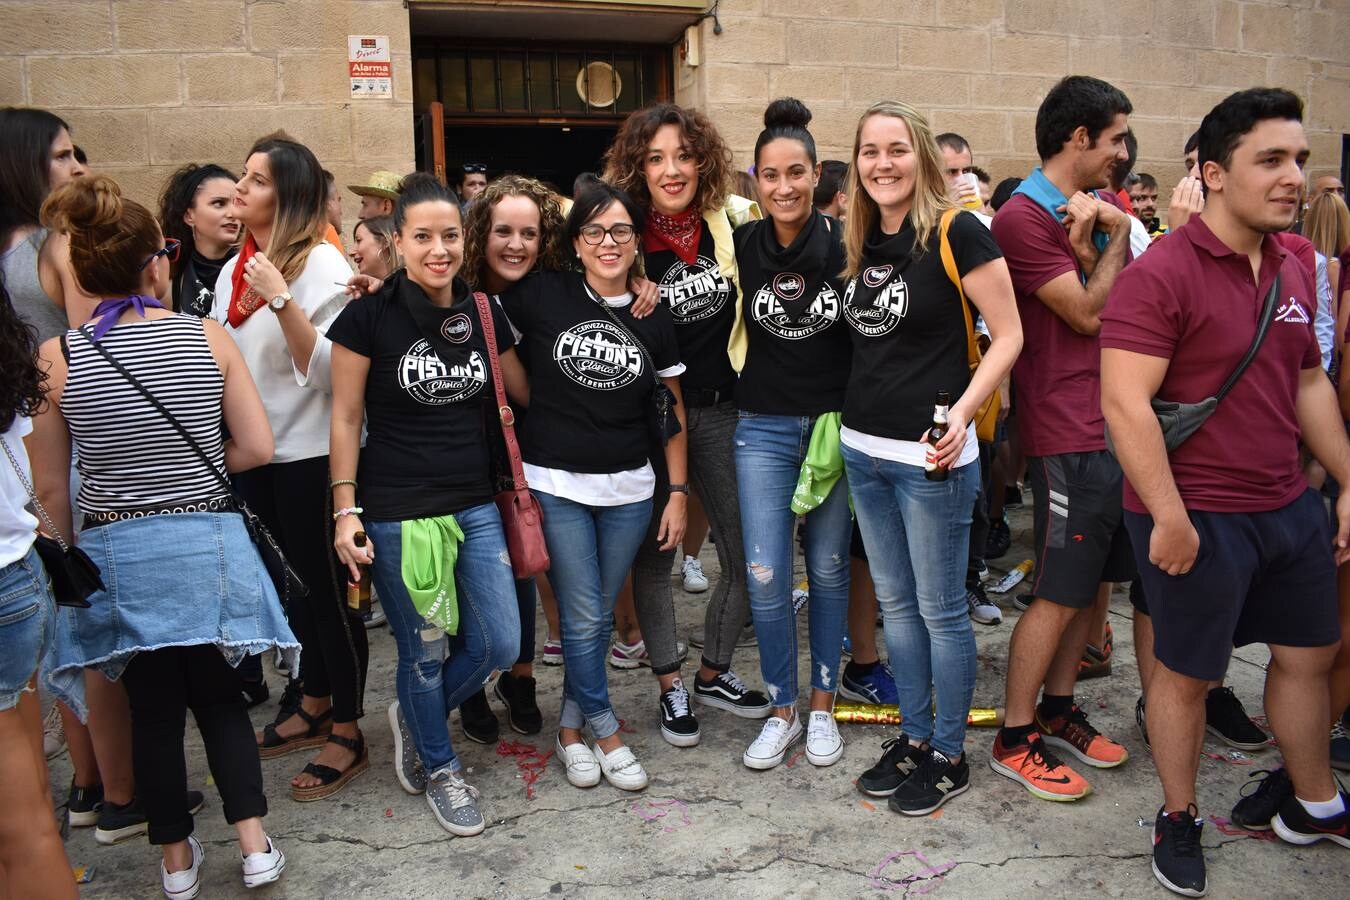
294,501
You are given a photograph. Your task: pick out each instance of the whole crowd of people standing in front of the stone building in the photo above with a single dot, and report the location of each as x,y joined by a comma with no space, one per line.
867,360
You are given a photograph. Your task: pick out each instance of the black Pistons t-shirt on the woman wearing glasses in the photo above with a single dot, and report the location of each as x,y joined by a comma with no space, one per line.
591,387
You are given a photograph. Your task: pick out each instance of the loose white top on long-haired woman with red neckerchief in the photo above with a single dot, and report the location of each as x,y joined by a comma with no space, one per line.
299,405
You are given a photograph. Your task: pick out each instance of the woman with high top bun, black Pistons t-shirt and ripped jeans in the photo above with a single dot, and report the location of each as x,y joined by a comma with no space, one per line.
797,362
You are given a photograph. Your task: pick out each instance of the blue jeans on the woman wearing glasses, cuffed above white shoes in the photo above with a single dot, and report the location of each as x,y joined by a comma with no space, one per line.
592,550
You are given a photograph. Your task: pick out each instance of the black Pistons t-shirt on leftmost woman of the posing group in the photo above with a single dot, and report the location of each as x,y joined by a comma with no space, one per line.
426,450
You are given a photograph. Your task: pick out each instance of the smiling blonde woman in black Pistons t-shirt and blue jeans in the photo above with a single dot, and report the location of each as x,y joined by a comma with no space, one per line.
909,343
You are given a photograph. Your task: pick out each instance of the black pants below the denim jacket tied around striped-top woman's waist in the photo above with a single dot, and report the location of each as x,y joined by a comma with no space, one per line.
163,686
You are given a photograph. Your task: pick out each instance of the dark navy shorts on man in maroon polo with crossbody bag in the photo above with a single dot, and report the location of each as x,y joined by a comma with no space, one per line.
1264,578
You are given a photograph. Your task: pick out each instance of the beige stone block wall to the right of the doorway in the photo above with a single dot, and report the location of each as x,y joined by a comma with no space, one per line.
981,68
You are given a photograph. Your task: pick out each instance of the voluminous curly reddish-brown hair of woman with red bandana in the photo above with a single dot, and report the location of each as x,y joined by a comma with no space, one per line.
624,160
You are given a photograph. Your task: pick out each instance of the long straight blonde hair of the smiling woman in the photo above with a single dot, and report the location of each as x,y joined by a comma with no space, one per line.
927,203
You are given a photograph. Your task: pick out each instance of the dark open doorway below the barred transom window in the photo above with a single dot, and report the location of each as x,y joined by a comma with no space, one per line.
556,154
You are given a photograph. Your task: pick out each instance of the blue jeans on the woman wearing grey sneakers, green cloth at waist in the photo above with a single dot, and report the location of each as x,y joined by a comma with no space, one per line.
429,683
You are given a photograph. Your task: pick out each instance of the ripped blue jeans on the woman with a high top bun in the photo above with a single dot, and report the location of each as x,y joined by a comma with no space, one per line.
769,459
